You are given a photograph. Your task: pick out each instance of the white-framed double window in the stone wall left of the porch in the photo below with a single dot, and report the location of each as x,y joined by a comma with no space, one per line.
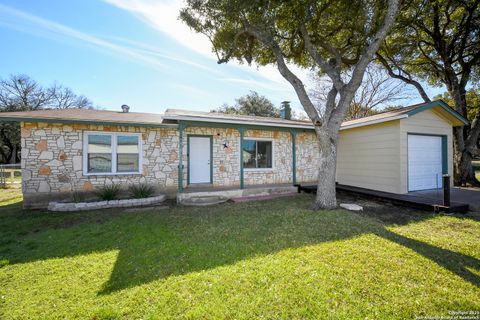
112,153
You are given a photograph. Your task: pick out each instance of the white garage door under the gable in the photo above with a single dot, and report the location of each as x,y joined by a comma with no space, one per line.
424,162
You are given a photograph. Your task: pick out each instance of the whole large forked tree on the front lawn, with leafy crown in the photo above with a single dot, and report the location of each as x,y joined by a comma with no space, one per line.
325,36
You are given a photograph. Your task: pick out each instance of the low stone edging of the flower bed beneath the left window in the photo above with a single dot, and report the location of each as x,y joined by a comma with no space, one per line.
84,206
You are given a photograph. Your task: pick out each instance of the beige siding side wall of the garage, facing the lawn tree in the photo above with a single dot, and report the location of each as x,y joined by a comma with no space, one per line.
369,157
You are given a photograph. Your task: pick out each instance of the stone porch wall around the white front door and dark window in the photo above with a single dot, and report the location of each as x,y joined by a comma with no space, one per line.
226,161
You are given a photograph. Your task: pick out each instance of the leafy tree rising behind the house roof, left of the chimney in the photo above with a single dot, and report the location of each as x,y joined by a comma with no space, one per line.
251,104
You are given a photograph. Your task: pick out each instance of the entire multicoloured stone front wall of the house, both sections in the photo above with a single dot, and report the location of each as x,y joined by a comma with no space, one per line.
52,159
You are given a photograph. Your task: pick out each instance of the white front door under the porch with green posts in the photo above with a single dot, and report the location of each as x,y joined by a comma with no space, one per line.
199,159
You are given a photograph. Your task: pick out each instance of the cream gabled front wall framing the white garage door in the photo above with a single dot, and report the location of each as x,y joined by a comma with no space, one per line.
427,122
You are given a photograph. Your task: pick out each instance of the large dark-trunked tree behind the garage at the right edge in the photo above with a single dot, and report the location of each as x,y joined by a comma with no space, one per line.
438,42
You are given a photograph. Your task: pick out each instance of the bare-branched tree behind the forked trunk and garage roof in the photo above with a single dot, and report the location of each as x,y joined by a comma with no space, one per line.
376,94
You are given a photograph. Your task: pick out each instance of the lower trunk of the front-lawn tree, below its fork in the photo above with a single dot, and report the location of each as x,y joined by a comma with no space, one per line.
326,191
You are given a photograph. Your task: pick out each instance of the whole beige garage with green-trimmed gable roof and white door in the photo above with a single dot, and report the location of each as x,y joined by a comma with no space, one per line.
399,151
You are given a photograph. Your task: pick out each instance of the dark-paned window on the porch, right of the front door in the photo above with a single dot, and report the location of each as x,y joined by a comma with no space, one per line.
257,154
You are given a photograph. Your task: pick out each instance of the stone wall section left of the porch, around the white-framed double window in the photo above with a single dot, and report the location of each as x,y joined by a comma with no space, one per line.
52,160
